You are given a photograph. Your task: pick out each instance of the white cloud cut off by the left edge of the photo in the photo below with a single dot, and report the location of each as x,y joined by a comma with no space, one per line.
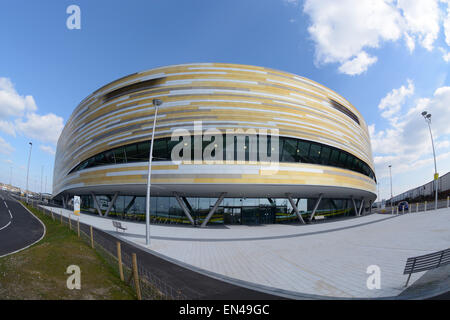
13,104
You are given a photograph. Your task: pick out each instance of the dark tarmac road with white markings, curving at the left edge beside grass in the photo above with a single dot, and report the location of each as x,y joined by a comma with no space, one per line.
18,228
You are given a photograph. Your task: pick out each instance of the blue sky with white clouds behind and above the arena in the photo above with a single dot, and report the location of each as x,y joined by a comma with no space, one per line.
389,58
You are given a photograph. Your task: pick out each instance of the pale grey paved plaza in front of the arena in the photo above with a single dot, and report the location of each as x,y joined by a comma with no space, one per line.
324,259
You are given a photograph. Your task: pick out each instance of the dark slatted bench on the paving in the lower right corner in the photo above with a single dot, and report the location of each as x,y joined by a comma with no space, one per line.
426,262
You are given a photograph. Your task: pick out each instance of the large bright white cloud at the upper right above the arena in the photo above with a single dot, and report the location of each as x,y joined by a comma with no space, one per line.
344,30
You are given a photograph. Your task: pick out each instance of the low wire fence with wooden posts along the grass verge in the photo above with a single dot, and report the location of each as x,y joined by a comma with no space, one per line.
119,256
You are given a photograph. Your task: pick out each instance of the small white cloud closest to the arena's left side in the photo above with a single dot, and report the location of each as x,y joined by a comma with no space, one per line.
46,128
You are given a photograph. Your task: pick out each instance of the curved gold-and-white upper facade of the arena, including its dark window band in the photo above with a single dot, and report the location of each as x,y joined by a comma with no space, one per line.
324,145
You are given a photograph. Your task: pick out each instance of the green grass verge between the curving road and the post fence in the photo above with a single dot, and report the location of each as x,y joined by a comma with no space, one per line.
39,271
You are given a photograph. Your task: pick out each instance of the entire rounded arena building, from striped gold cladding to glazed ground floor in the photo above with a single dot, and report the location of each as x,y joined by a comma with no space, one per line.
323,167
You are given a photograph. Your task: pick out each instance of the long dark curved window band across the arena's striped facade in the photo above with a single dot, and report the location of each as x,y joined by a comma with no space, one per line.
291,151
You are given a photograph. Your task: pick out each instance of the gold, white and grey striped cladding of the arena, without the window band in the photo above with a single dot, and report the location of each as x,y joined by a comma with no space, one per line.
222,96
